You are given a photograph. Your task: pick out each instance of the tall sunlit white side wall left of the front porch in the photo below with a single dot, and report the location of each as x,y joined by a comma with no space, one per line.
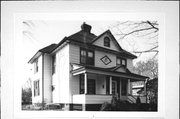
62,75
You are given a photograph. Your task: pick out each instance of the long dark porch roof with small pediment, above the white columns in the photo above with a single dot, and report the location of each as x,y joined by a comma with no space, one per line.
107,71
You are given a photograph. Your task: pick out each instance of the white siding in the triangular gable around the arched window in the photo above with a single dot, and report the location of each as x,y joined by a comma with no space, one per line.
100,42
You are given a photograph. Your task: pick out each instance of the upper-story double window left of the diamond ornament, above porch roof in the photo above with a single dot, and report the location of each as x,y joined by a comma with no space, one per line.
86,57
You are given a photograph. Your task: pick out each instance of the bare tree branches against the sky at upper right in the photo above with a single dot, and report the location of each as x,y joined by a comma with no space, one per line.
147,30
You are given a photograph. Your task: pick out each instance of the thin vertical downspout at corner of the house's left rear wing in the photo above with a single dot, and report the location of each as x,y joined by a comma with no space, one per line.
43,80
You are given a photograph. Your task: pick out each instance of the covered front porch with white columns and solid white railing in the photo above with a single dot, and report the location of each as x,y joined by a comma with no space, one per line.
97,86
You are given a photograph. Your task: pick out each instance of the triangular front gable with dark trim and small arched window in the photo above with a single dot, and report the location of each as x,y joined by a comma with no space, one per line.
107,40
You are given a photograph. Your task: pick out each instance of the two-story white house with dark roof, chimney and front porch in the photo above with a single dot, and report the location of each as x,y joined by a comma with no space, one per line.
83,70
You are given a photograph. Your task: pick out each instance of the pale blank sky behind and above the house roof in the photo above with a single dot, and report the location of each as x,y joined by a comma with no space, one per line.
38,34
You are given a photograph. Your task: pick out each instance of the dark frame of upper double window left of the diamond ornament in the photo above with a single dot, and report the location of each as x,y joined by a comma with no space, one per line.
87,60
